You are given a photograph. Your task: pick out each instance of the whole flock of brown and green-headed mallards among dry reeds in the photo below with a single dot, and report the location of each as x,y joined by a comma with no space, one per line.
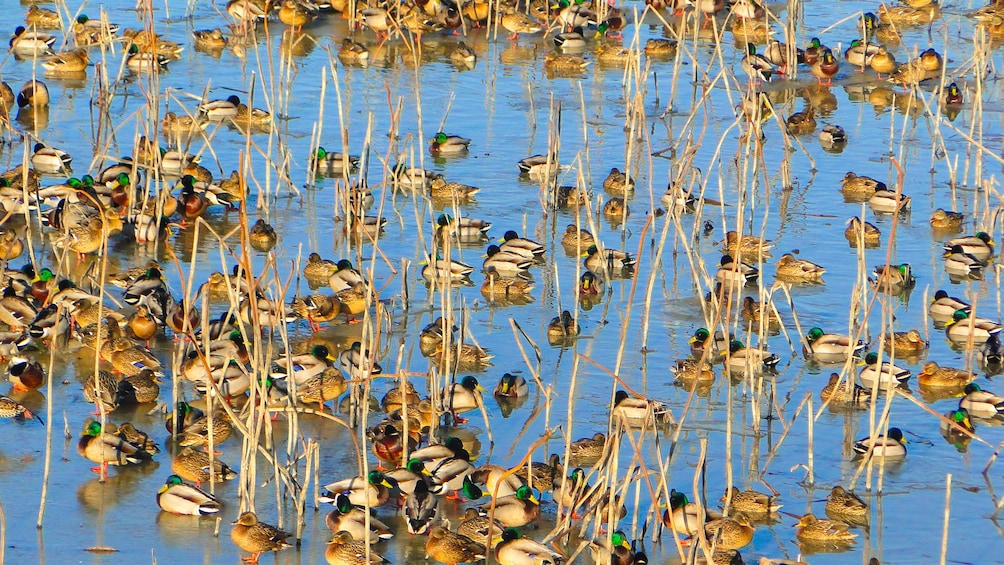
83,215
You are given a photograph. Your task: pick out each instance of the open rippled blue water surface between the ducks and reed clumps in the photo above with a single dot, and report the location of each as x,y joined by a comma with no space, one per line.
503,104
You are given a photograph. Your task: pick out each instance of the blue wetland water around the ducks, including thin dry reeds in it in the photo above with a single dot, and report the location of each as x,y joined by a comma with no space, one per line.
505,104
